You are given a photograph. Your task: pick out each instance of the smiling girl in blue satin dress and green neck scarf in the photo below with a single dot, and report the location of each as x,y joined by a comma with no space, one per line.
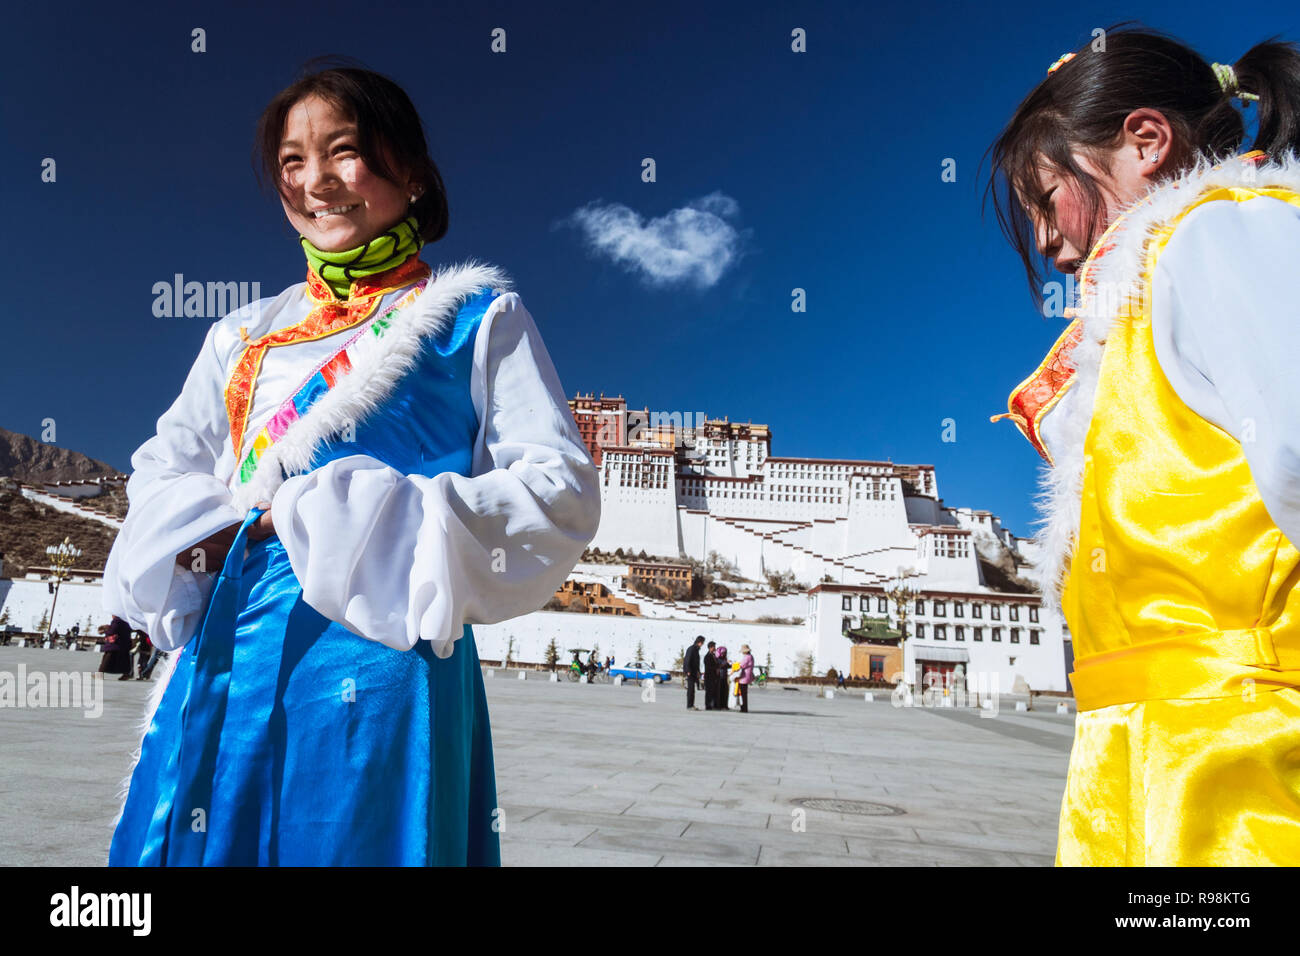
356,473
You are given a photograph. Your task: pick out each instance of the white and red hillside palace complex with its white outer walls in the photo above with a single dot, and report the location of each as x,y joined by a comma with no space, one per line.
807,551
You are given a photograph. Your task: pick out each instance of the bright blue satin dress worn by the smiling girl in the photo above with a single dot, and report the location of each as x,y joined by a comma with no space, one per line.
283,739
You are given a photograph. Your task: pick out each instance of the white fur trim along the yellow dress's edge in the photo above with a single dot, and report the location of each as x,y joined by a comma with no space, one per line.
1119,276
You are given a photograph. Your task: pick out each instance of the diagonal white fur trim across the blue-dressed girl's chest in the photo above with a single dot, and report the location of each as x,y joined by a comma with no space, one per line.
372,379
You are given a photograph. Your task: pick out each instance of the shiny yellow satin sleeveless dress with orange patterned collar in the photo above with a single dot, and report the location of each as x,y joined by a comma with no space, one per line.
1185,611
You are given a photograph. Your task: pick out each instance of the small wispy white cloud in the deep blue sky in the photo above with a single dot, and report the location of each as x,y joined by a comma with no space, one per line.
694,245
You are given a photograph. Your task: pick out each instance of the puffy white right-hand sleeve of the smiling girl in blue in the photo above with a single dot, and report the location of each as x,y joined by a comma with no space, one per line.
400,559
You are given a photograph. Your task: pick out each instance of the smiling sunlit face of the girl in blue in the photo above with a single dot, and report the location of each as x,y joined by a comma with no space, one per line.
330,194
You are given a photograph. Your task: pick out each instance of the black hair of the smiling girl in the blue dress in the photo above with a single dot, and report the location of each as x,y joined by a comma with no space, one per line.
388,128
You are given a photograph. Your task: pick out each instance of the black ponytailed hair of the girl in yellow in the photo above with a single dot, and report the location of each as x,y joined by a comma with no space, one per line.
1084,103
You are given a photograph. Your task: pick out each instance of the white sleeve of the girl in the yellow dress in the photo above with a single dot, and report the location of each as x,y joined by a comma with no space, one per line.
1225,319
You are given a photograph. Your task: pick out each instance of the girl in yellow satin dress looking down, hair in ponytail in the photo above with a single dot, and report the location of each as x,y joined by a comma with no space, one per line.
1169,416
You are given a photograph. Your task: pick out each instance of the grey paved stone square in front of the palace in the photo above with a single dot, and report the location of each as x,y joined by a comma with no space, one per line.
597,776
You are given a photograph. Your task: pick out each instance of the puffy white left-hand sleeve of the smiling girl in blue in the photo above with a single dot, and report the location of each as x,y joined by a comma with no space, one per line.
176,501
